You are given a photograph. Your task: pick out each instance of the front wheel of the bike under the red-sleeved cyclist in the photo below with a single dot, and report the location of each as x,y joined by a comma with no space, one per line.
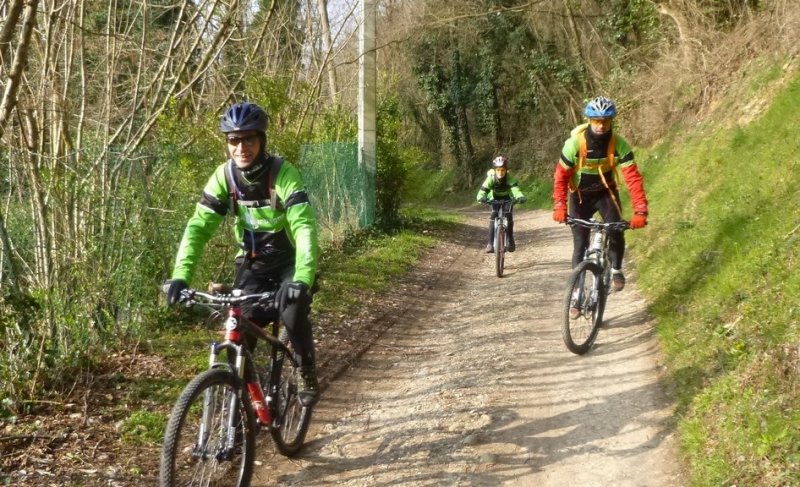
583,307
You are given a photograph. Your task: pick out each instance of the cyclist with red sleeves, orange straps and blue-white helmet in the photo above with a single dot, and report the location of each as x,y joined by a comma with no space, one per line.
587,174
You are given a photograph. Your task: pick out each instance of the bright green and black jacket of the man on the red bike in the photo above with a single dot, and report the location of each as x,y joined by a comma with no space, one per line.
286,232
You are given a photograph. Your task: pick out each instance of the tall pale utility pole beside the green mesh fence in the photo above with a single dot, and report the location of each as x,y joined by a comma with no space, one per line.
366,109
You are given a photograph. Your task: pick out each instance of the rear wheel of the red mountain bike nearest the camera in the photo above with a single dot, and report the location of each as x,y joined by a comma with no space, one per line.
291,418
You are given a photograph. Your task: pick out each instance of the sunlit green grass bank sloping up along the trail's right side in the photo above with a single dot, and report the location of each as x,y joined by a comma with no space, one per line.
719,265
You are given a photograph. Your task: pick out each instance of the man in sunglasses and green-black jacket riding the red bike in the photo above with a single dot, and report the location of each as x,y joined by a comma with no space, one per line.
275,226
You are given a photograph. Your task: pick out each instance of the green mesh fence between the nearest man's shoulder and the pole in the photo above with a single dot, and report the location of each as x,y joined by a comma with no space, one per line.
343,194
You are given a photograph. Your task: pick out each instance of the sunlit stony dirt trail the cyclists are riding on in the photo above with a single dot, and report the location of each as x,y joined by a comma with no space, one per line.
472,384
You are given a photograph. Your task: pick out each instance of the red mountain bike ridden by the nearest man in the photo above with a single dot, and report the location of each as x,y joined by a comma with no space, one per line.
211,434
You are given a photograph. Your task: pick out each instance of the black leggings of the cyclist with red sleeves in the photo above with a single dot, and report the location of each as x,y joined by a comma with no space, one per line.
584,207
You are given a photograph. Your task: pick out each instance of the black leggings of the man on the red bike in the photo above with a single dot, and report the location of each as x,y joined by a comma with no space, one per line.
258,277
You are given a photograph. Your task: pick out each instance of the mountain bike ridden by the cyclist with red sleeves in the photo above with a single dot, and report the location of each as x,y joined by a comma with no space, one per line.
588,287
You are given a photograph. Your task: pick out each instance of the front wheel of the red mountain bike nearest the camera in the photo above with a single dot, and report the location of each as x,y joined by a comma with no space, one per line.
210,438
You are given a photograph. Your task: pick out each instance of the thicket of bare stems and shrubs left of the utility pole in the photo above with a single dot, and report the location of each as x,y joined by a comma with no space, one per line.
108,139
